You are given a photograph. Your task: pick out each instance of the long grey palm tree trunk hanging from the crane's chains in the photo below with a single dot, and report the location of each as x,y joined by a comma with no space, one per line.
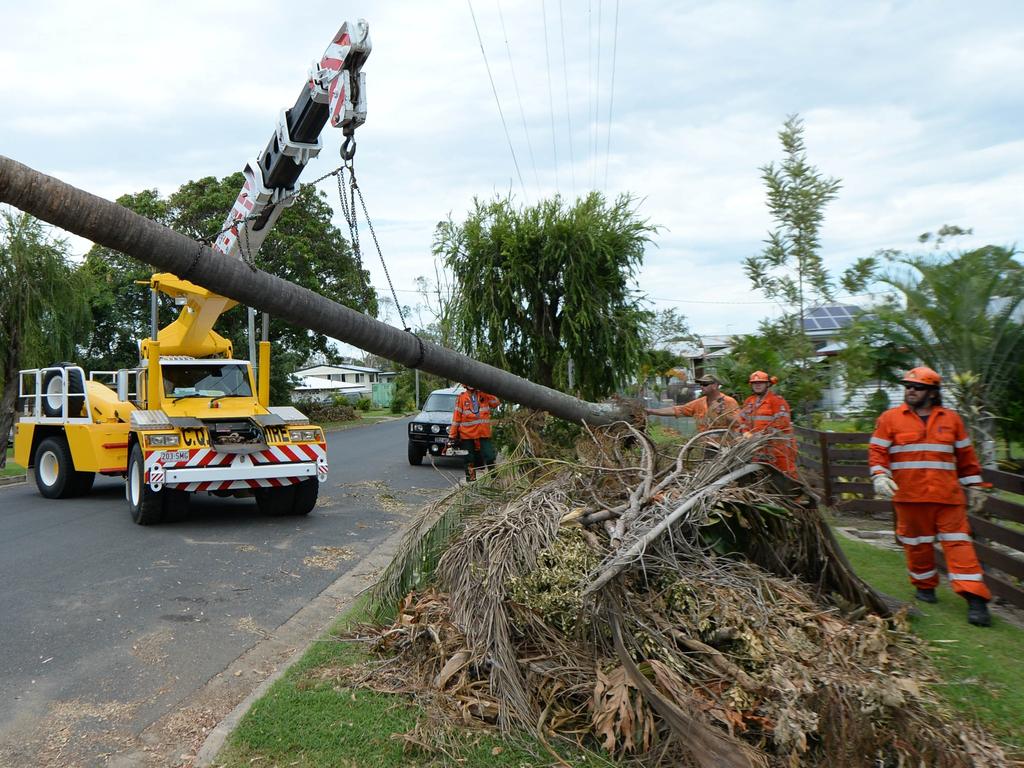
112,226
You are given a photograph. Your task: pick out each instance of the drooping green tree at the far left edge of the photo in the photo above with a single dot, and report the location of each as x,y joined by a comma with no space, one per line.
42,307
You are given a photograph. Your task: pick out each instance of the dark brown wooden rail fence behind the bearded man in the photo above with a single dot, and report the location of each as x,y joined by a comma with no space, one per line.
835,464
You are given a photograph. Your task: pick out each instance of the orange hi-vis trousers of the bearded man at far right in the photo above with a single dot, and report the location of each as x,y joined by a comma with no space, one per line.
920,526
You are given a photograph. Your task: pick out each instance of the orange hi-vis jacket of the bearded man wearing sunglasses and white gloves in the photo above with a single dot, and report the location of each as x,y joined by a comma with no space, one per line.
929,461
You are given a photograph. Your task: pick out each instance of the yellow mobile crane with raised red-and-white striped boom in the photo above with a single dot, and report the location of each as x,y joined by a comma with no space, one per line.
192,418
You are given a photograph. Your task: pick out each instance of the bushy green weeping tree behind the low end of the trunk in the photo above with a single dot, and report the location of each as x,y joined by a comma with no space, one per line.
547,287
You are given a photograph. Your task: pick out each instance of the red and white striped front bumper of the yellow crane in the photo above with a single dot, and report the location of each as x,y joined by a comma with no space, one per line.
207,470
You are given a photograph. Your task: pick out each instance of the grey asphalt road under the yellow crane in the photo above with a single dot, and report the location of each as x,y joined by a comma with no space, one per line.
107,627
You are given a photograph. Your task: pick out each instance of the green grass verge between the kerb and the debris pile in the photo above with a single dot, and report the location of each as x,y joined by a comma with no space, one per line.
307,722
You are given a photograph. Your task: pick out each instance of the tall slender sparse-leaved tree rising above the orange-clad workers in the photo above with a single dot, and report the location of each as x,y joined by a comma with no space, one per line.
791,269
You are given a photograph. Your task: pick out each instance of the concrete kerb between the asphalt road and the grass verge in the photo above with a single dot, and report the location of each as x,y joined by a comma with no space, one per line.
321,613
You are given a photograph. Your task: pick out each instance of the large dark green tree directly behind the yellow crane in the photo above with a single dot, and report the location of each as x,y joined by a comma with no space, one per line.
305,248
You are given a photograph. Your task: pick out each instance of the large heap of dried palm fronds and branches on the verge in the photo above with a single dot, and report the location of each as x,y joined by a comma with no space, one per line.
678,613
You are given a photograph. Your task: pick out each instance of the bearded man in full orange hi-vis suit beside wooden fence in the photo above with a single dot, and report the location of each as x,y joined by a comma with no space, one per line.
922,458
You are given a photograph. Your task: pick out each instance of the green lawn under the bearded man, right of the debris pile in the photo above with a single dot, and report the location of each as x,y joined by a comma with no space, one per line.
982,669
